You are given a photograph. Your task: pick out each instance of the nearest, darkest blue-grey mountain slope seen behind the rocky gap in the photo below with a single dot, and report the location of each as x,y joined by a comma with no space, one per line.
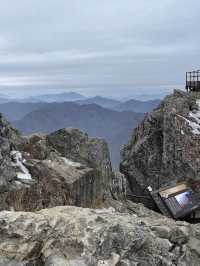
114,126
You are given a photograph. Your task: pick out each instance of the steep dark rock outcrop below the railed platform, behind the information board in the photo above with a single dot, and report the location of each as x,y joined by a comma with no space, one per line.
165,147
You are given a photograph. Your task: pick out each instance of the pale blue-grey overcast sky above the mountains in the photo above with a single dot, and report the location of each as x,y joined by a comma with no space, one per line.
110,47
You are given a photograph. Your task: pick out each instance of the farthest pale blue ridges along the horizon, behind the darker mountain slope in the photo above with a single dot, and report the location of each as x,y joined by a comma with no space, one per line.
16,110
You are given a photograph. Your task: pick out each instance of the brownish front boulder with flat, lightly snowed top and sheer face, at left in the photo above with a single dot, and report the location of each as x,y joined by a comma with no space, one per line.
57,181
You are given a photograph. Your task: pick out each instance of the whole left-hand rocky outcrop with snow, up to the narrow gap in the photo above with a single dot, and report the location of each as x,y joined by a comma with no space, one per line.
63,168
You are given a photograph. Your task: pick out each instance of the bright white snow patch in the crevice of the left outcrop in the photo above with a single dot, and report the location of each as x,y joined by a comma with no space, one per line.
18,162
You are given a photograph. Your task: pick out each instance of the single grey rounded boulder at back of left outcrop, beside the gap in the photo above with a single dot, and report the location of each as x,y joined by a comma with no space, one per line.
77,146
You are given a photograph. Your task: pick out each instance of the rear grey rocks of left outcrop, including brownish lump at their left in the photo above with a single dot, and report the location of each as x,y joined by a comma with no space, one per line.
72,144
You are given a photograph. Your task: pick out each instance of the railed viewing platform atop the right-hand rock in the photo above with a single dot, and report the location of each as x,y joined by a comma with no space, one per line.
193,81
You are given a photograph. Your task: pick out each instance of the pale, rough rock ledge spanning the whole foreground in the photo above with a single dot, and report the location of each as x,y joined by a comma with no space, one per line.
76,236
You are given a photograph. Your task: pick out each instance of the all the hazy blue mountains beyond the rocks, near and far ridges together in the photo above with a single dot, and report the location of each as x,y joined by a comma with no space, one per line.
99,116
